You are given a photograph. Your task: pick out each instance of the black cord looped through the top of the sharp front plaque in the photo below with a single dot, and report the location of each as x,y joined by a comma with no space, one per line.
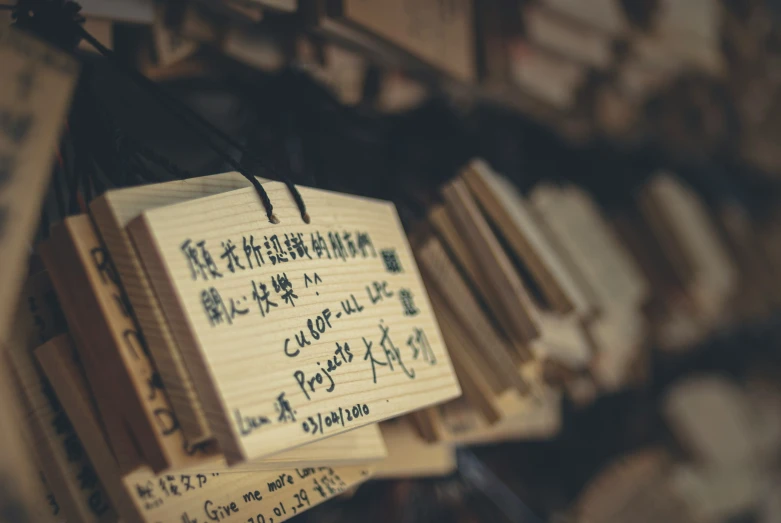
190,117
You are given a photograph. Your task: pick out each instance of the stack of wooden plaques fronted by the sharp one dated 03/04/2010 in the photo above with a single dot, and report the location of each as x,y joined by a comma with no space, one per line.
181,358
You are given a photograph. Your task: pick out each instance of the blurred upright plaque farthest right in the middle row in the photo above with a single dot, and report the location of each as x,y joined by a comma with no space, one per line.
714,272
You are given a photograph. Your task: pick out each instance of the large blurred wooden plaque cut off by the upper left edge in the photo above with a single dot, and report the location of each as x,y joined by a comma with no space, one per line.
36,82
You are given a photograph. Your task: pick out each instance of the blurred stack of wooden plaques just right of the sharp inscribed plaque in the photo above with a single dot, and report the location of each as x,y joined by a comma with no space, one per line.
533,294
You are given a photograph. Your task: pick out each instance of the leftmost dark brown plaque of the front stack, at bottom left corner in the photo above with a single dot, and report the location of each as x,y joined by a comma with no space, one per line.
67,467
